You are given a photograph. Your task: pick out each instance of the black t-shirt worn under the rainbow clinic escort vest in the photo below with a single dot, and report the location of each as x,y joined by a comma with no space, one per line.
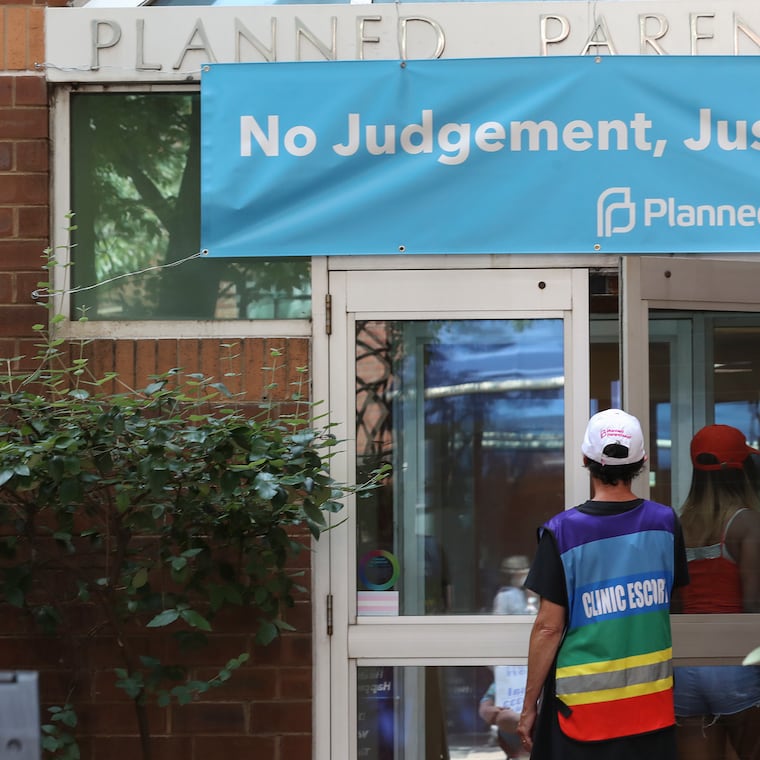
547,579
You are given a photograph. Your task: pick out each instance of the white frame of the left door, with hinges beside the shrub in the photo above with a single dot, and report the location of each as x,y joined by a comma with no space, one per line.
444,290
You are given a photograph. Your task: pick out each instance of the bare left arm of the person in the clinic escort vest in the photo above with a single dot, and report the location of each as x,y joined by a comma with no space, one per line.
545,638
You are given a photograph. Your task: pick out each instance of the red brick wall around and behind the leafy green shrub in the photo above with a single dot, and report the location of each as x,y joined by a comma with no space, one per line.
265,711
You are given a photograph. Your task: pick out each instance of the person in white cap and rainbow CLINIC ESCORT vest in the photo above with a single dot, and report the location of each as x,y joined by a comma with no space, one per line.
600,674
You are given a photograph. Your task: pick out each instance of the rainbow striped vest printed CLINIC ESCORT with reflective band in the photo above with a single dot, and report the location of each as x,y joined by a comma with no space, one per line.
614,673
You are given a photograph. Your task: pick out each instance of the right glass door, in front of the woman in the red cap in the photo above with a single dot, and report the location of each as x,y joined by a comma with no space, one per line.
701,354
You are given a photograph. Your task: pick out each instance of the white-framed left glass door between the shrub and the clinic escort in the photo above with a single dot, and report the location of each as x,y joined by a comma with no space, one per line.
473,387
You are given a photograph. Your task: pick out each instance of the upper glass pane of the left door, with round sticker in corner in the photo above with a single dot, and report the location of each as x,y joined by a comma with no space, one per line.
471,416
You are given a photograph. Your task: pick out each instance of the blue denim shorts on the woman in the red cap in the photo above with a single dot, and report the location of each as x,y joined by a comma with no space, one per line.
716,690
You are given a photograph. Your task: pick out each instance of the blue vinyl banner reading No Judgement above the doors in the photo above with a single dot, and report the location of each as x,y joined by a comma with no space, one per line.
644,154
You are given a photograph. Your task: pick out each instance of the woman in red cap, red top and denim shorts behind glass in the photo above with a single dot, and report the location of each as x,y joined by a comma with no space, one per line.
718,708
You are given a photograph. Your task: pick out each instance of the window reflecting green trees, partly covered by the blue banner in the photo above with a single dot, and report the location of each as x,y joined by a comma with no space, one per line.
135,188
